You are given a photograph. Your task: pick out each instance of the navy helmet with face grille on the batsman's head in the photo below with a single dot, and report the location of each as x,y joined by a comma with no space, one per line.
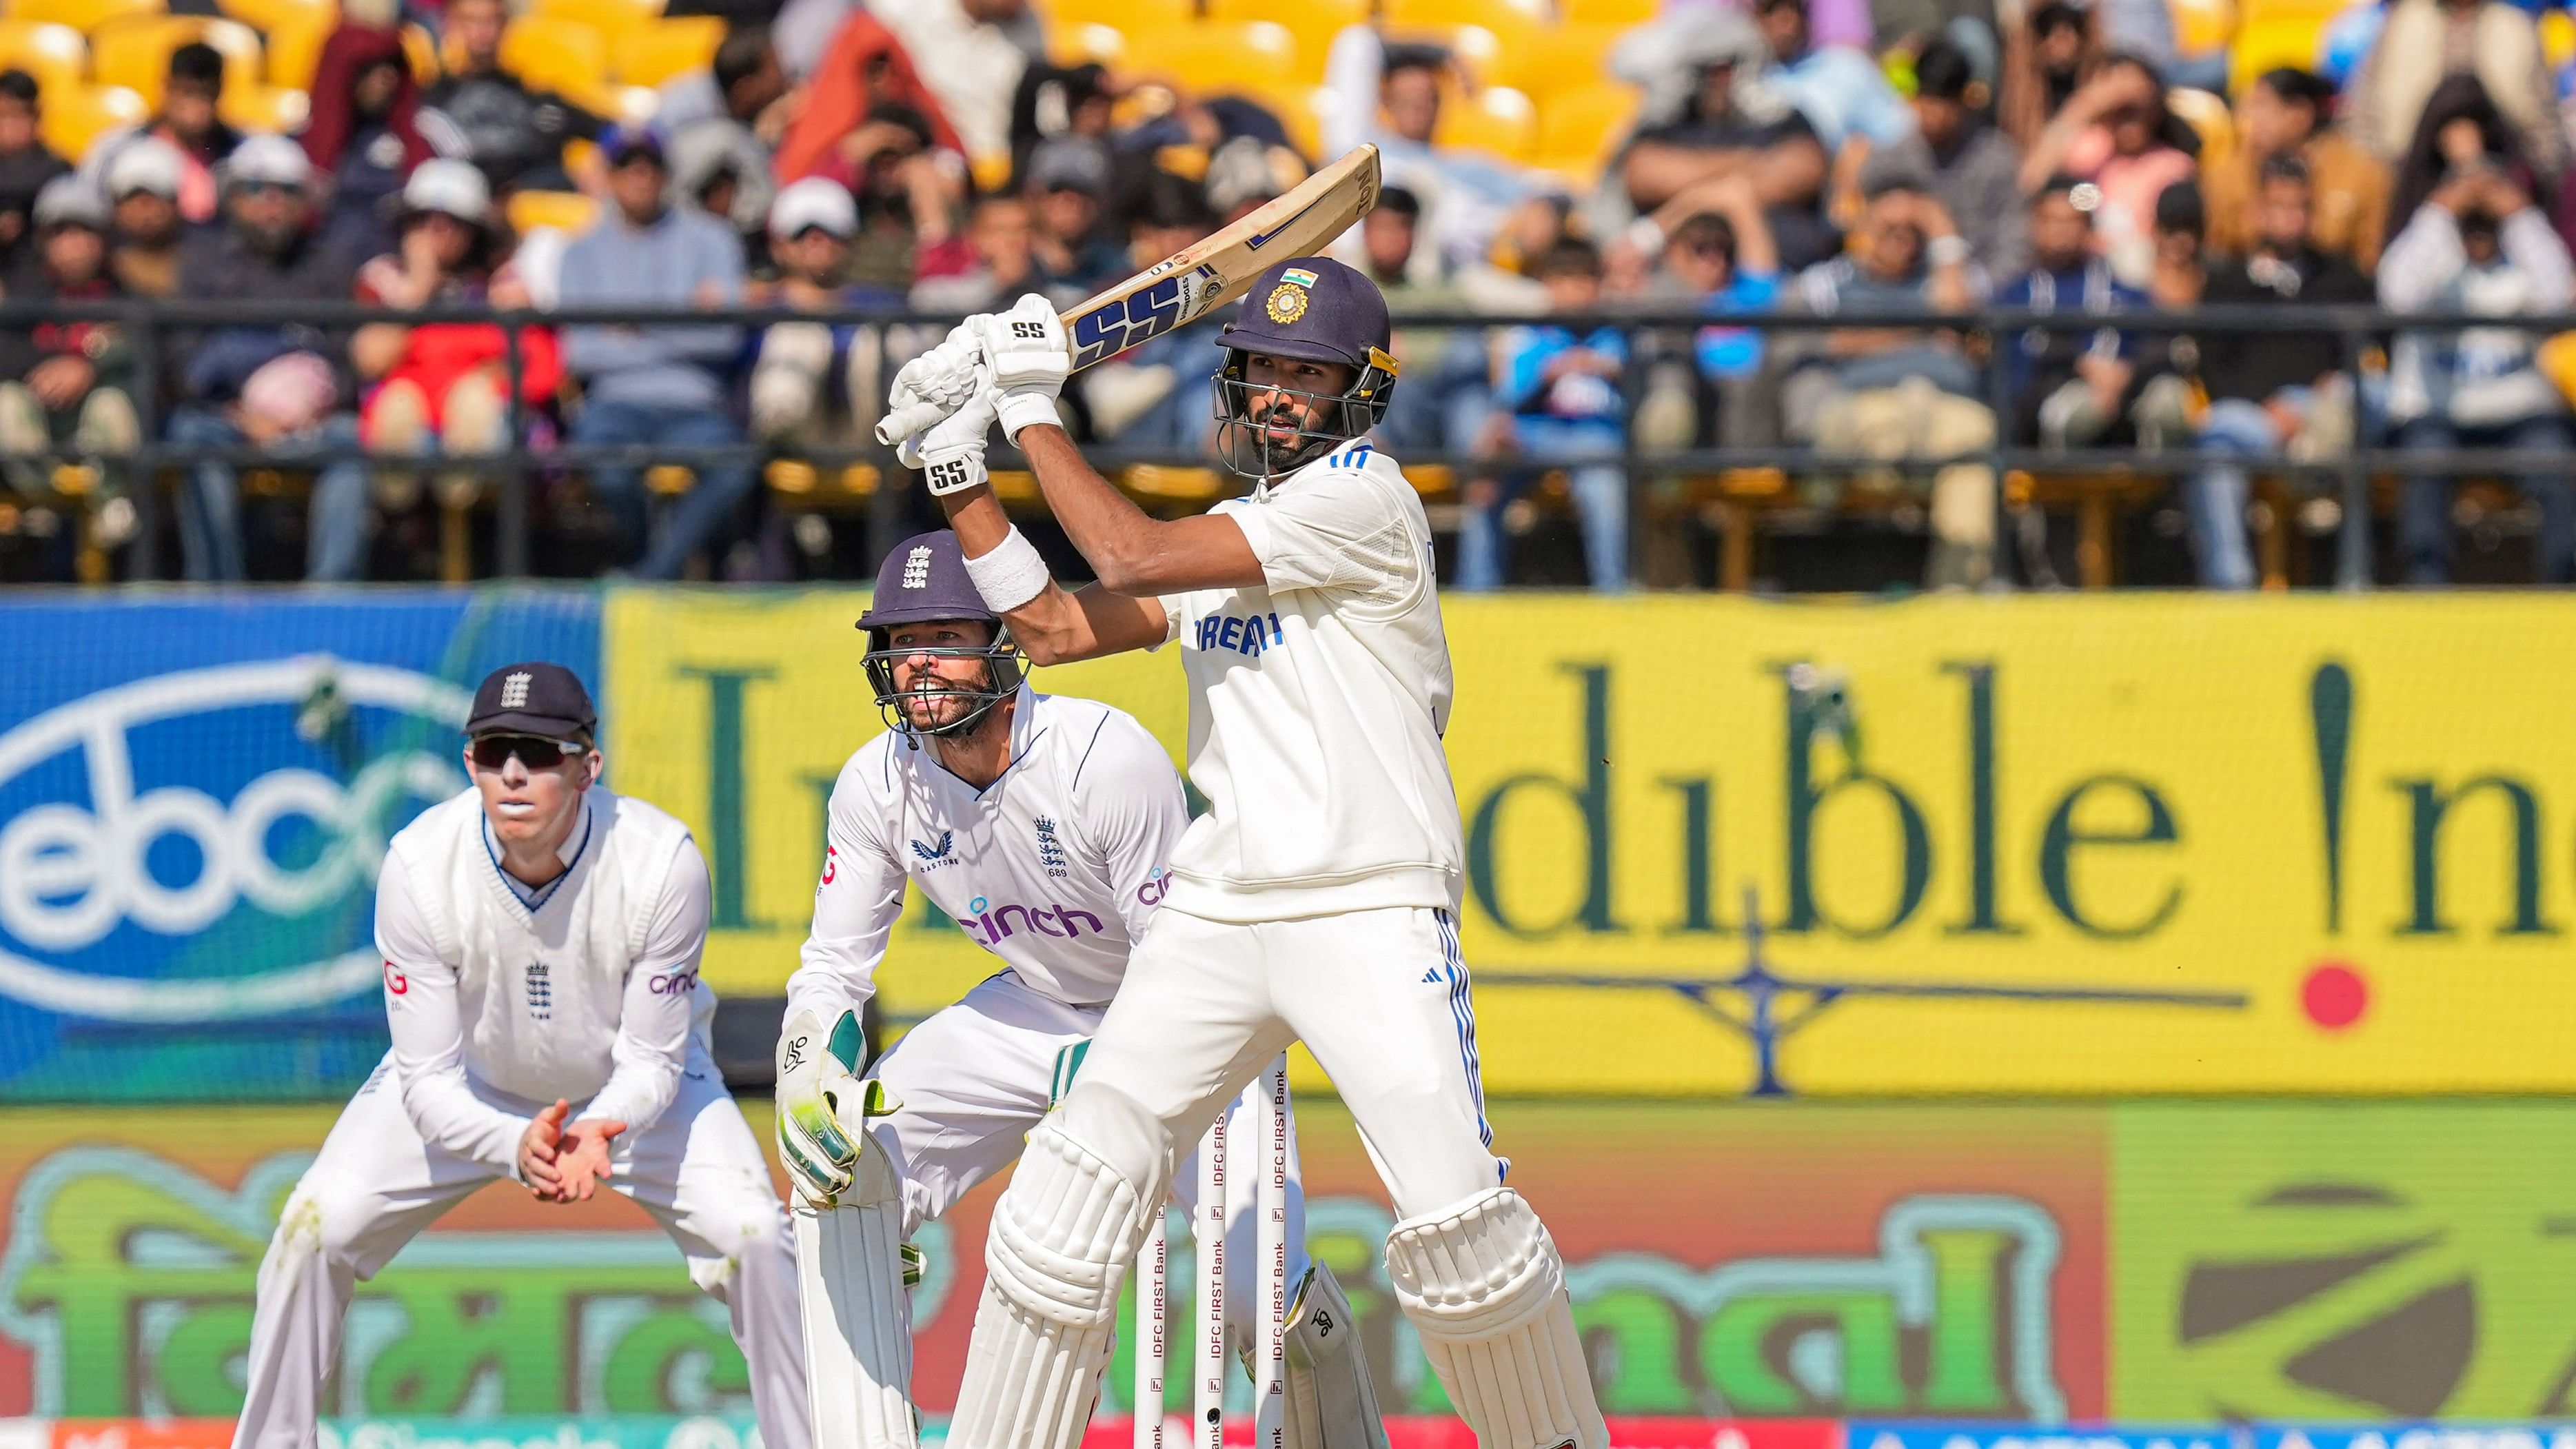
1310,311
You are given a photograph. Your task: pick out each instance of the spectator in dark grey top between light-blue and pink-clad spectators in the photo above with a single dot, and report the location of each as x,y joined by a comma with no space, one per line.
1962,159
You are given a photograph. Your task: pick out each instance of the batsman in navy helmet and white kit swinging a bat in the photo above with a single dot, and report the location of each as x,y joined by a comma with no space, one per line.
1318,896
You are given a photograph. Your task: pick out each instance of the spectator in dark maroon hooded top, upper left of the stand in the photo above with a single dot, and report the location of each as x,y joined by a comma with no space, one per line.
365,133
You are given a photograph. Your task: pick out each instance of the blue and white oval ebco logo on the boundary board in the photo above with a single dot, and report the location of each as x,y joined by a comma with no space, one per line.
202,844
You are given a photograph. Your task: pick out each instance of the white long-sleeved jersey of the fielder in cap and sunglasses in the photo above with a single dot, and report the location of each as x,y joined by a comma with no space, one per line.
501,1007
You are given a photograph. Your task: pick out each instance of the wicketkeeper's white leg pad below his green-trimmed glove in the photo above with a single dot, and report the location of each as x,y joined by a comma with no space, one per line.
857,1316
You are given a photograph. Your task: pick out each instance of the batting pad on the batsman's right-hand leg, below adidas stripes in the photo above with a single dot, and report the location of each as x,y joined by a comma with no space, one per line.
1488,1296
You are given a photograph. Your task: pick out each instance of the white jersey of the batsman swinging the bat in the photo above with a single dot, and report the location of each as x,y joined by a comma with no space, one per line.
1318,705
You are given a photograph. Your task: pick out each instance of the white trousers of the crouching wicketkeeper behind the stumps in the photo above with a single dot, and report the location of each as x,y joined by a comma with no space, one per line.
972,1082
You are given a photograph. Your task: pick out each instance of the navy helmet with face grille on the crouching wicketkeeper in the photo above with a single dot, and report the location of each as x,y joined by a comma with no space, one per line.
926,581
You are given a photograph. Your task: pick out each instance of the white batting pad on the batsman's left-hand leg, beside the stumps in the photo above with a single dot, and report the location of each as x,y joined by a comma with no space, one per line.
1052,1267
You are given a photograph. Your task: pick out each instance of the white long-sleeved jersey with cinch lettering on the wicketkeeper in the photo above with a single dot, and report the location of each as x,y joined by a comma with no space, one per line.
1055,865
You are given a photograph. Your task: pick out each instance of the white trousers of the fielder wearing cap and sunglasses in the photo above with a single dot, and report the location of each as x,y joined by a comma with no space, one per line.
377,1185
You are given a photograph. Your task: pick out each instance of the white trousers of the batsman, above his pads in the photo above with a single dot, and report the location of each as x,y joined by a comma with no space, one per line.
1382,1002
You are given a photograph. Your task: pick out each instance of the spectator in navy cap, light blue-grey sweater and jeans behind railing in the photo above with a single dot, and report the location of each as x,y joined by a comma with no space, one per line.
656,385
